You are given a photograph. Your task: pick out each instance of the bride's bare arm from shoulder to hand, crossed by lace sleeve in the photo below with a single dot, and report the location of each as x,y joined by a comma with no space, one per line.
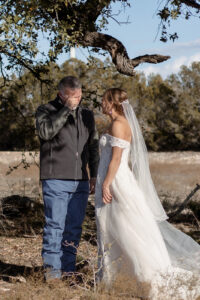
118,132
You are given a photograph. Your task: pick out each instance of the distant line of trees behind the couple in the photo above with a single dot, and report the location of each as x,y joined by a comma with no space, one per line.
168,110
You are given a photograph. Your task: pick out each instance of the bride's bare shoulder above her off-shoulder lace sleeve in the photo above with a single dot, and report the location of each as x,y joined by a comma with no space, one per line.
121,129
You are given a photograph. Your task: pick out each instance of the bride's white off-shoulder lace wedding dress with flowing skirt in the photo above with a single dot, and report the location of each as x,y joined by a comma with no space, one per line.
131,241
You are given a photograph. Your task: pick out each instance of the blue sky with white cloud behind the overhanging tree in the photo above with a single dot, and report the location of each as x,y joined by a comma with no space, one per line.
140,36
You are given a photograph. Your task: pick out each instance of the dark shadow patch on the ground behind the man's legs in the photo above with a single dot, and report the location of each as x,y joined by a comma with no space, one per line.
21,216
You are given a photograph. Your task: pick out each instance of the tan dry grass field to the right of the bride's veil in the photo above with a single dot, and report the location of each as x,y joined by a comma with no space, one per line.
175,173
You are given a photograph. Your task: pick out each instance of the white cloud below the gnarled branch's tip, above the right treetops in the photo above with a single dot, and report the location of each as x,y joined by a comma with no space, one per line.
169,67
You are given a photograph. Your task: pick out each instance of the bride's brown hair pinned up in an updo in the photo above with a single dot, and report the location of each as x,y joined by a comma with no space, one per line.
116,96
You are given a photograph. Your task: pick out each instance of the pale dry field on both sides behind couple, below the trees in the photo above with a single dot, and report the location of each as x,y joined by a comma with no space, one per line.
174,173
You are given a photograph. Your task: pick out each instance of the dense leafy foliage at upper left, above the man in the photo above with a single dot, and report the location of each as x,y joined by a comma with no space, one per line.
64,23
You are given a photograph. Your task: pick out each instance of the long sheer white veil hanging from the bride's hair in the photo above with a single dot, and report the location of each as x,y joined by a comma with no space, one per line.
140,164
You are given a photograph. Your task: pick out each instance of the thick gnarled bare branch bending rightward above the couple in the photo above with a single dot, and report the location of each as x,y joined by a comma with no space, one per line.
118,52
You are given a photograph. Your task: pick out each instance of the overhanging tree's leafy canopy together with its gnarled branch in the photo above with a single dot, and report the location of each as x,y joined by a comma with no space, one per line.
69,22
